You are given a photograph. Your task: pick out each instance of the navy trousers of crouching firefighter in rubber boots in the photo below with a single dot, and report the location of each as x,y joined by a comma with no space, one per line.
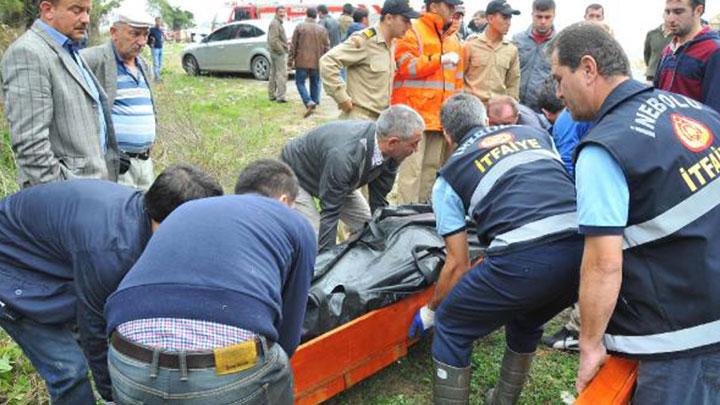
520,290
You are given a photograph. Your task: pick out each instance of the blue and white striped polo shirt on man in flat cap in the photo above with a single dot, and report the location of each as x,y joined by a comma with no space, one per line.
132,110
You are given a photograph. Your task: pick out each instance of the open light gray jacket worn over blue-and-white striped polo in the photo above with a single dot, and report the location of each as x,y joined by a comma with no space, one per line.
102,62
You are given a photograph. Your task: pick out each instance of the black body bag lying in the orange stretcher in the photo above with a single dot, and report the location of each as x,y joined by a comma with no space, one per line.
397,254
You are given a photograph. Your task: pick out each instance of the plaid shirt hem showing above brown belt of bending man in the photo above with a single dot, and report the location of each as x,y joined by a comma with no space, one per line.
183,334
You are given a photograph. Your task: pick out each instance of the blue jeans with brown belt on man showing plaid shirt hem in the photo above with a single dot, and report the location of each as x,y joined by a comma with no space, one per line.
136,382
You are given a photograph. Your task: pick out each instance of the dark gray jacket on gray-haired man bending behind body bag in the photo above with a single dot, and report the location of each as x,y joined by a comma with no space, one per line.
334,160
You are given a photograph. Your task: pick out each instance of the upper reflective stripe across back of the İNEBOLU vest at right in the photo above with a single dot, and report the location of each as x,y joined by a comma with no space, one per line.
674,219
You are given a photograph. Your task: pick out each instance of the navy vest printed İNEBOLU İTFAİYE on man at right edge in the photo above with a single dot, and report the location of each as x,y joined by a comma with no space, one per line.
666,146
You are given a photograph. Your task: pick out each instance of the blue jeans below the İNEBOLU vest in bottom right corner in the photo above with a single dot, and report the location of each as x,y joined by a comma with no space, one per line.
693,380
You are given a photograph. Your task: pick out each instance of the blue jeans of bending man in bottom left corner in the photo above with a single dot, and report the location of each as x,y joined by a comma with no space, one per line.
56,356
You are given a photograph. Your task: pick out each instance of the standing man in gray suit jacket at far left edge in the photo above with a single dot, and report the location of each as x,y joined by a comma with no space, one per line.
60,124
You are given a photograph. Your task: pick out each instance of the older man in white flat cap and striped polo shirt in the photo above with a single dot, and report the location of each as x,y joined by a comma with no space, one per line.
125,78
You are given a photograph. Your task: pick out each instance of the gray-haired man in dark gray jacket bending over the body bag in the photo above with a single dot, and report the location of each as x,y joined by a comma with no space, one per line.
334,160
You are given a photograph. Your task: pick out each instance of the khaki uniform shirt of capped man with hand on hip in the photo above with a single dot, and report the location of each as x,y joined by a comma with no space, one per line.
370,70
